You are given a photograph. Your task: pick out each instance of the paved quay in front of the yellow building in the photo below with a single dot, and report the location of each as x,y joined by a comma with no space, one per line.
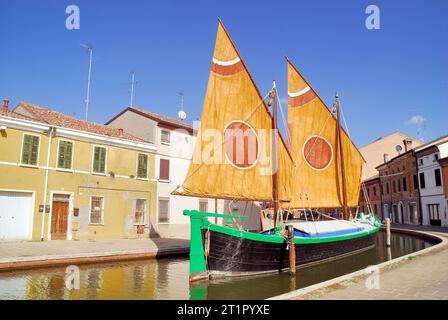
19,255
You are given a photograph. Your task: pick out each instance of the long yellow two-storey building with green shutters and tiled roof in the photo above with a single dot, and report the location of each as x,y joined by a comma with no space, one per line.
65,178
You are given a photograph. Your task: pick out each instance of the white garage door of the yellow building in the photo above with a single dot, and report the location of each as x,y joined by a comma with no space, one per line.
16,213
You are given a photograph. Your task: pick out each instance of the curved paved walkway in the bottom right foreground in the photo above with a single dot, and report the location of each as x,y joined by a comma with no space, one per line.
422,277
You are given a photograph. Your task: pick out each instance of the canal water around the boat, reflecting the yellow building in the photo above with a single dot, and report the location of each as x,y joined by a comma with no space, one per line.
168,278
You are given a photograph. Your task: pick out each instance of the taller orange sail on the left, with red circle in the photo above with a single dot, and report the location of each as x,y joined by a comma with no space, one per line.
232,157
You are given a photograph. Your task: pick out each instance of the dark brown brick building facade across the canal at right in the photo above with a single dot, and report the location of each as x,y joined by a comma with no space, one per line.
399,189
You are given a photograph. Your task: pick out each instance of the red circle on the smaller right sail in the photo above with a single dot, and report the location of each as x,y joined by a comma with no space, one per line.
317,152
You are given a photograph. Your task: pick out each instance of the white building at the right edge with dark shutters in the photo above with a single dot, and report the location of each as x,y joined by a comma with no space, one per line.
434,208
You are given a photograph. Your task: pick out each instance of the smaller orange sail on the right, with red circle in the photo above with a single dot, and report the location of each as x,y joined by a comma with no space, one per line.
314,143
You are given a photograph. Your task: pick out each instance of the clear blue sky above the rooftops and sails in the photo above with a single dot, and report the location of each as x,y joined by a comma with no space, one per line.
385,77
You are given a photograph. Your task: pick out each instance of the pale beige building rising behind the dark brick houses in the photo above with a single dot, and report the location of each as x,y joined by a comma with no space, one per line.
385,147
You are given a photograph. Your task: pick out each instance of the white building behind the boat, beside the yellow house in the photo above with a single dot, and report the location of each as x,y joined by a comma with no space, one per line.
175,142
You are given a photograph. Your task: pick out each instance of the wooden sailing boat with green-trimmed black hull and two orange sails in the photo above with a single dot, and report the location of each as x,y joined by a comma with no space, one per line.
240,155
